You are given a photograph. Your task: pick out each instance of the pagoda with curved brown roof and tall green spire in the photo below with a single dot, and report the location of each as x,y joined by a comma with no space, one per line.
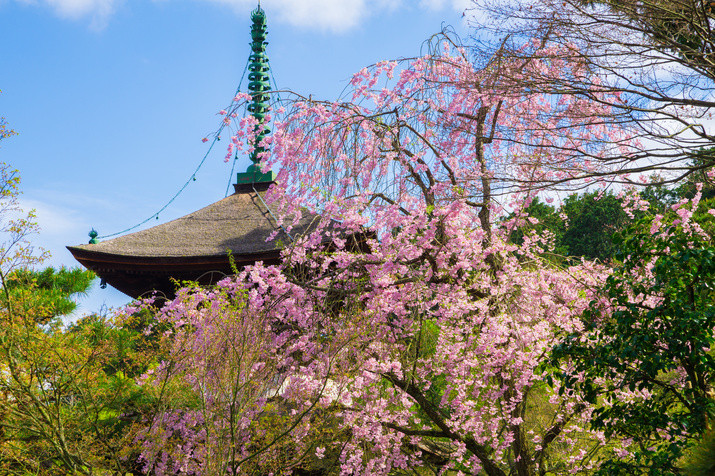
210,243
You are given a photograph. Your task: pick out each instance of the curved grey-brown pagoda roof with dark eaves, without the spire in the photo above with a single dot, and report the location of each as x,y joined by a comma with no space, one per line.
194,246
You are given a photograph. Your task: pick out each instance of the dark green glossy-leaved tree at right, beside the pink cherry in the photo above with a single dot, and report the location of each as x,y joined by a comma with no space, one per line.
645,357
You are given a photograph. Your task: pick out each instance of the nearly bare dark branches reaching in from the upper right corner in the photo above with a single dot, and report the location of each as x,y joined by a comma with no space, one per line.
651,62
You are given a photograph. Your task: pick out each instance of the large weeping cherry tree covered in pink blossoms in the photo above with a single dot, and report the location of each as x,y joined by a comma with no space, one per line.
405,318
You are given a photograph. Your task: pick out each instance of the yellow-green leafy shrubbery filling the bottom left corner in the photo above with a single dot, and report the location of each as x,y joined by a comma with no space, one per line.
64,408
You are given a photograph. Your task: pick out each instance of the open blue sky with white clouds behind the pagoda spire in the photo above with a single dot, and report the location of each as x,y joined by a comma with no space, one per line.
111,98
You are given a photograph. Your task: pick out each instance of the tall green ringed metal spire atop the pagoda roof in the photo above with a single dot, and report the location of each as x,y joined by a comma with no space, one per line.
258,87
